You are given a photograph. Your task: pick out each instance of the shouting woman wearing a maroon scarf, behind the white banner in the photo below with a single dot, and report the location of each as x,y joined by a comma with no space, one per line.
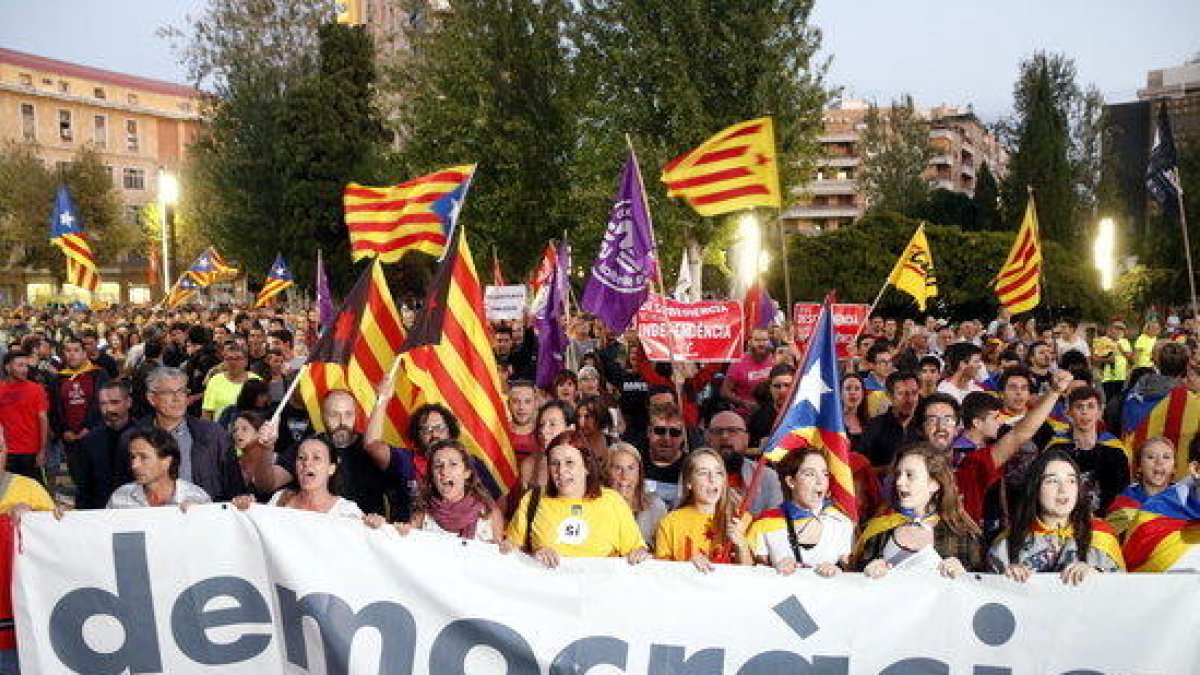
453,500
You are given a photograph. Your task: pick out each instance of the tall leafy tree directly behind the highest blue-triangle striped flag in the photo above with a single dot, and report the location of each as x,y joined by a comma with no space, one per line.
491,83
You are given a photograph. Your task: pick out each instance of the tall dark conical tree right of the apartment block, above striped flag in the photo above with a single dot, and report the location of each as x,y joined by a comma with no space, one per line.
1057,139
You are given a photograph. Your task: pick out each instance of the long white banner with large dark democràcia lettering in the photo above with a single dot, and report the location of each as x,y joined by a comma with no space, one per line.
283,592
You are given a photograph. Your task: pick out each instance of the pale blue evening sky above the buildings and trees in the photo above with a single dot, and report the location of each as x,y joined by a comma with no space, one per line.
964,52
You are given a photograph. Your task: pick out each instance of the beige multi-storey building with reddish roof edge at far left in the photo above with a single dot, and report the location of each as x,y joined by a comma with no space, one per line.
140,127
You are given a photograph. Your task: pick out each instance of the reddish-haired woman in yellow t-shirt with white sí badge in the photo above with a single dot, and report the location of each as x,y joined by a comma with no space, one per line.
577,517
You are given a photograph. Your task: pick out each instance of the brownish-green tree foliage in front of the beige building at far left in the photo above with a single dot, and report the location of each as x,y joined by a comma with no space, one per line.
27,202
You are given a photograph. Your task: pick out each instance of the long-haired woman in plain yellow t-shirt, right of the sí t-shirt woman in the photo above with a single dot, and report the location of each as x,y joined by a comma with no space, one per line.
710,525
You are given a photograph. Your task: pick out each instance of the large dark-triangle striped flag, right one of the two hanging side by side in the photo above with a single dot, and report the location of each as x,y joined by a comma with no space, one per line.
449,361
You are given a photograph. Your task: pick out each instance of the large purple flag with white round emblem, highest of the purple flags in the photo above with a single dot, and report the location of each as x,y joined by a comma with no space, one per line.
621,278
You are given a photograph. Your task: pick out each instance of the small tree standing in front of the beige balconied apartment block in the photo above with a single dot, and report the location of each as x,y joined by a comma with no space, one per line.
897,153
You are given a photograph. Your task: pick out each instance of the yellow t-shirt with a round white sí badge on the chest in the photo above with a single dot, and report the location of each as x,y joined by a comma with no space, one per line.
599,528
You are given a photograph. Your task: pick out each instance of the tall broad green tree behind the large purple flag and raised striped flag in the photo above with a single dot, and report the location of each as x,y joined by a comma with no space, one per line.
670,74
